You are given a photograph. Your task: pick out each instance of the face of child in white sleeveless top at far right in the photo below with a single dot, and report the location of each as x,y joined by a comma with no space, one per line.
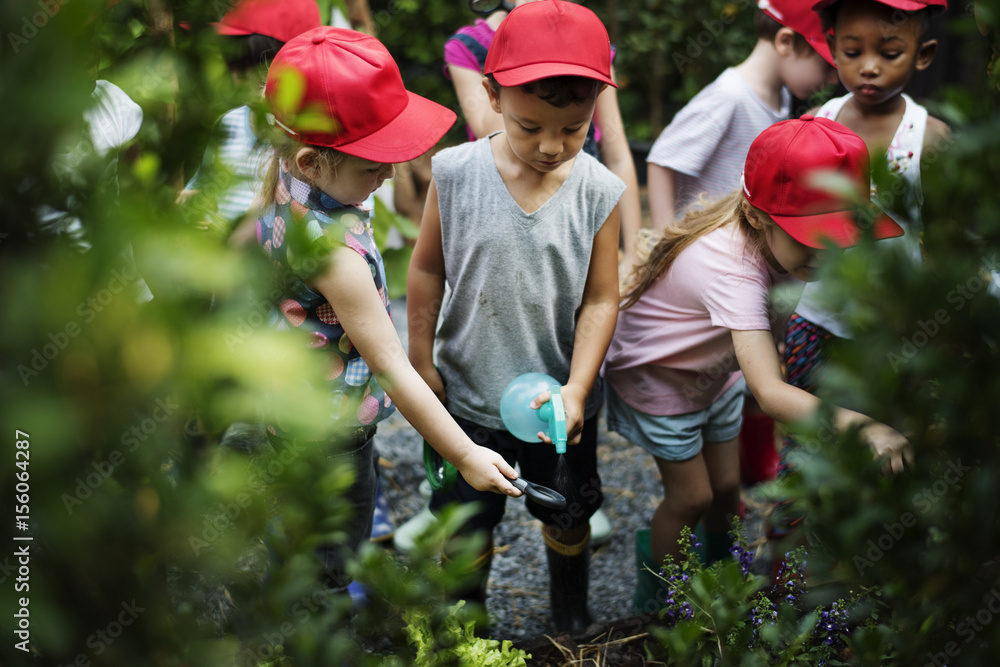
877,50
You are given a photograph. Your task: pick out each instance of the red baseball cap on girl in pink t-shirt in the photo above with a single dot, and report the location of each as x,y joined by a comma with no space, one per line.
779,179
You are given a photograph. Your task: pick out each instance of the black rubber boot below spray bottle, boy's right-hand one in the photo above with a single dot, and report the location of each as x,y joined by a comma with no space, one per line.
569,577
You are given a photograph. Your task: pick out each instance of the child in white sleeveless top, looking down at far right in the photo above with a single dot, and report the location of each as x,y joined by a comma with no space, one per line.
877,45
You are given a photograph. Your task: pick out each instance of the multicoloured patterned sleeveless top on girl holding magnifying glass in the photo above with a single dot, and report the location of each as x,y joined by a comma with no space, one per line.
357,400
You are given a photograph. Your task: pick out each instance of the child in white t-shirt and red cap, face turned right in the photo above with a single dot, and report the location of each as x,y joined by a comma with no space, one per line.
703,148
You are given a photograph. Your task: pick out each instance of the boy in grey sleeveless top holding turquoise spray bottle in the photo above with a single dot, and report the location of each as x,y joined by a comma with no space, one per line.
524,228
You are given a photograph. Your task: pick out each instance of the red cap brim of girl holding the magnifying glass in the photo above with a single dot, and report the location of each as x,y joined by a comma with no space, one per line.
406,137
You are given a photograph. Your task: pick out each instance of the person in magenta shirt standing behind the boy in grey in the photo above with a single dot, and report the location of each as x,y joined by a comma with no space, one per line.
464,56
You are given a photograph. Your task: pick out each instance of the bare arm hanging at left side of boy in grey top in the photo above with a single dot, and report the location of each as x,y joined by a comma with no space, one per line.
424,292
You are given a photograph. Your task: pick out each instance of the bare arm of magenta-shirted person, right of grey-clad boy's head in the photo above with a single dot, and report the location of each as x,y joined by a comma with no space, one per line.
617,157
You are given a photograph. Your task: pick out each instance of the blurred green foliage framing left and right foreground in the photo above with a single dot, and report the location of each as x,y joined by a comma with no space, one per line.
130,537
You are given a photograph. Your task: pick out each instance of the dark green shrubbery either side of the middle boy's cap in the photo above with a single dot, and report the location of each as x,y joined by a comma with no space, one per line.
657,68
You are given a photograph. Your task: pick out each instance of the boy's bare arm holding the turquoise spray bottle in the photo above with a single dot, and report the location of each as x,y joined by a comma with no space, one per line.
594,328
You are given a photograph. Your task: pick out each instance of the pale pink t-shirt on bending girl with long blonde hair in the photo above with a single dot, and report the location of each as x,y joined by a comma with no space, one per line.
672,352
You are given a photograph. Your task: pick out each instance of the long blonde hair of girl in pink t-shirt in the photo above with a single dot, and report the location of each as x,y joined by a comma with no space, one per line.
658,250
